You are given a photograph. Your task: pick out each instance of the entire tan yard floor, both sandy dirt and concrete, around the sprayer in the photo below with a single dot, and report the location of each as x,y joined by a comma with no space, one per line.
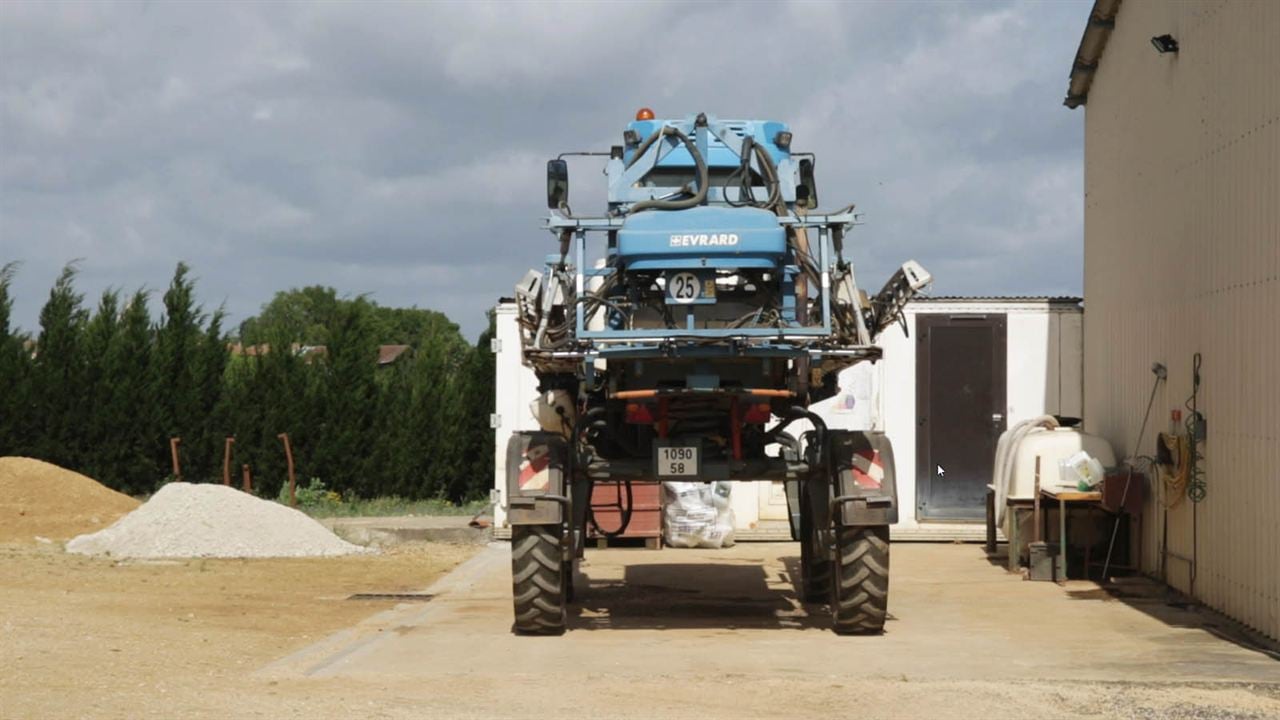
656,635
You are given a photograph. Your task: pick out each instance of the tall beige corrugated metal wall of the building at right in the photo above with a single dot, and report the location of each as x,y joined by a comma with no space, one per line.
1183,257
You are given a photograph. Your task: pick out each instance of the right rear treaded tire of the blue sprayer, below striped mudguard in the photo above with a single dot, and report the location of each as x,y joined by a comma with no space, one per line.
860,590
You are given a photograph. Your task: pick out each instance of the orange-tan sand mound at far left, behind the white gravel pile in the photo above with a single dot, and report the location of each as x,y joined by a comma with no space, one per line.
39,499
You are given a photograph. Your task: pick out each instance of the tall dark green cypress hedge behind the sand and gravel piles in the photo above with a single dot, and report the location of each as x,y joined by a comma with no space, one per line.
103,390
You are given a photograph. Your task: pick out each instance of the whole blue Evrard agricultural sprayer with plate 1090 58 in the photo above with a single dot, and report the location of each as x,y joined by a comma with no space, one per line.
679,335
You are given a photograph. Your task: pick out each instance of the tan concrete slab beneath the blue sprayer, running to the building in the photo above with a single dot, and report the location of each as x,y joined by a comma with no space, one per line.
733,616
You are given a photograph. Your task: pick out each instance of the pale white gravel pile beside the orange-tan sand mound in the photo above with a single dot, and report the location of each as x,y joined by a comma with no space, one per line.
211,521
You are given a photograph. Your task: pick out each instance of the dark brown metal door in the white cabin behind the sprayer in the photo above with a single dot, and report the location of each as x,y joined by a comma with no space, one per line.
961,413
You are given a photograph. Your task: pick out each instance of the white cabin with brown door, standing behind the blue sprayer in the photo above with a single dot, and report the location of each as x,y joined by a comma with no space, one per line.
970,368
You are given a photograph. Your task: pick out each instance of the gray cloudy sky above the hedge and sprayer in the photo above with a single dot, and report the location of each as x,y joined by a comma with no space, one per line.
399,149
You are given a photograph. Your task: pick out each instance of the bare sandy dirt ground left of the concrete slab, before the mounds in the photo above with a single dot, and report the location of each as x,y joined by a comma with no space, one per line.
88,637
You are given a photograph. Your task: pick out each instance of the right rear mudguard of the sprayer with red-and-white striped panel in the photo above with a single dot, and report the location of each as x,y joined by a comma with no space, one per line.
866,481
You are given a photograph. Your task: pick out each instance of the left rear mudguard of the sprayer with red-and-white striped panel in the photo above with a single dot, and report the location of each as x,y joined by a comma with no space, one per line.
537,466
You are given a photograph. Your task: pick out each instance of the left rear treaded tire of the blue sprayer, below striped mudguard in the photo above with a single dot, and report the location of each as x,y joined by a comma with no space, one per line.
538,580
